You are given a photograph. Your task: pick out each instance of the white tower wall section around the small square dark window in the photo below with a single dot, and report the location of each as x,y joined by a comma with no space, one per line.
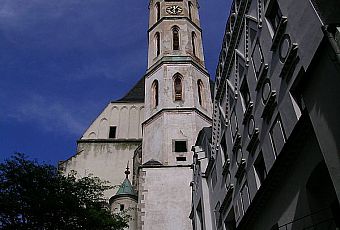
175,125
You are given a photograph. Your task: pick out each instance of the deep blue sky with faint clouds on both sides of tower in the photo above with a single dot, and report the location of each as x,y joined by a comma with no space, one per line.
62,61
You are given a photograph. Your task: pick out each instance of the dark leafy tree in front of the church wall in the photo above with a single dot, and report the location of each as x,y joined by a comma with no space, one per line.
38,196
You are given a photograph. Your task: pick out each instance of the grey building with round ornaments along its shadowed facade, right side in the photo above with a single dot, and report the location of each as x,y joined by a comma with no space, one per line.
272,161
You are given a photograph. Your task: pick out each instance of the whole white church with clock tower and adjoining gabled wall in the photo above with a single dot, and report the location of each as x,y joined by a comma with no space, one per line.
154,125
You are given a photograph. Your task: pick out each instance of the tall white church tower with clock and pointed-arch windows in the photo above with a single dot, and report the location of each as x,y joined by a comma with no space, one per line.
177,106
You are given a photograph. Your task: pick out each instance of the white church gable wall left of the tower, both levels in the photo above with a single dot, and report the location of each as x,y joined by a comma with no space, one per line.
105,157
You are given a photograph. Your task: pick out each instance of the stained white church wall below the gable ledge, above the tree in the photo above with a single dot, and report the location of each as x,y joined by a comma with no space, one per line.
104,160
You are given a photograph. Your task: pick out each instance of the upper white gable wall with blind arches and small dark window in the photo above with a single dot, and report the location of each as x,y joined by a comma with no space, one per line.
126,116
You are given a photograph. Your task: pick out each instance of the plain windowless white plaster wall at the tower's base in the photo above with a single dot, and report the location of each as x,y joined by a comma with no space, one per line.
166,198
